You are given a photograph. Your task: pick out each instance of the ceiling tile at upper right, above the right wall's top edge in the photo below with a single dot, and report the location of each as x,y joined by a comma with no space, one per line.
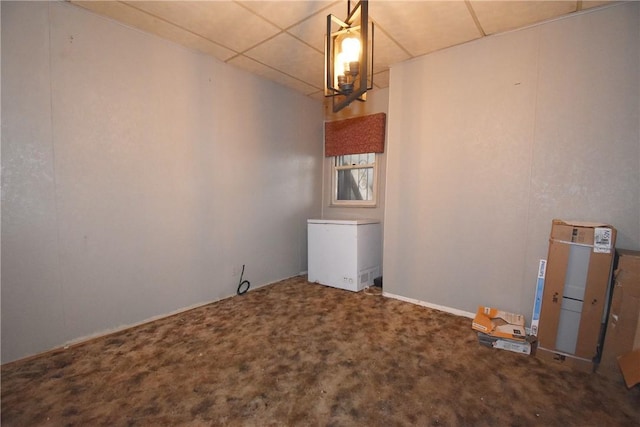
495,17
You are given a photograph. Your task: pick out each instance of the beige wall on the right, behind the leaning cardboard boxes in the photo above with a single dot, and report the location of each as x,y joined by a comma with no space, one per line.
491,140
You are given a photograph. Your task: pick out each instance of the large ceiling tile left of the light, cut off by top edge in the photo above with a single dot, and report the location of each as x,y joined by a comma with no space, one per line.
223,22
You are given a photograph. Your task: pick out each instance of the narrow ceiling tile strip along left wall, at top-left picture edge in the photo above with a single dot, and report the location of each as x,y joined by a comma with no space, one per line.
143,21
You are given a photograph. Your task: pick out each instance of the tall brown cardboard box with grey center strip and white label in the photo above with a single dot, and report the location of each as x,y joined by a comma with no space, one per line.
576,287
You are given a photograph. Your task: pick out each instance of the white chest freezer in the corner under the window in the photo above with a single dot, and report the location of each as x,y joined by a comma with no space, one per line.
345,254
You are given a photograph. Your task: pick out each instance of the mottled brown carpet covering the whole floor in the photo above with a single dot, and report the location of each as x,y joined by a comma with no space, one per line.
296,353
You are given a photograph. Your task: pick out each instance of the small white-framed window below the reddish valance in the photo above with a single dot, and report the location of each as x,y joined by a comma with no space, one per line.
354,180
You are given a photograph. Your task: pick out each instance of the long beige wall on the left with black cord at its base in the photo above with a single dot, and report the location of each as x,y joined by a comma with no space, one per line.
139,176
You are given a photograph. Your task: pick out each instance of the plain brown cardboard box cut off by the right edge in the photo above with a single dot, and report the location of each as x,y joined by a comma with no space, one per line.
623,327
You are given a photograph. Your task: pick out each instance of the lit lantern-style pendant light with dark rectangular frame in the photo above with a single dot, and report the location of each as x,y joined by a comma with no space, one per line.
349,56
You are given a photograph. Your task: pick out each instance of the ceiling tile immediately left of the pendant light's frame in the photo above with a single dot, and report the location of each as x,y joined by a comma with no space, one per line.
292,57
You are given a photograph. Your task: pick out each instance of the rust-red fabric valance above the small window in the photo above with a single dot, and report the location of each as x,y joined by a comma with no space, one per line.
358,135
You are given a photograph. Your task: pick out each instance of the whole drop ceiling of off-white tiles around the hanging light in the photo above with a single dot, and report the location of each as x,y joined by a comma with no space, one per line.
283,40
